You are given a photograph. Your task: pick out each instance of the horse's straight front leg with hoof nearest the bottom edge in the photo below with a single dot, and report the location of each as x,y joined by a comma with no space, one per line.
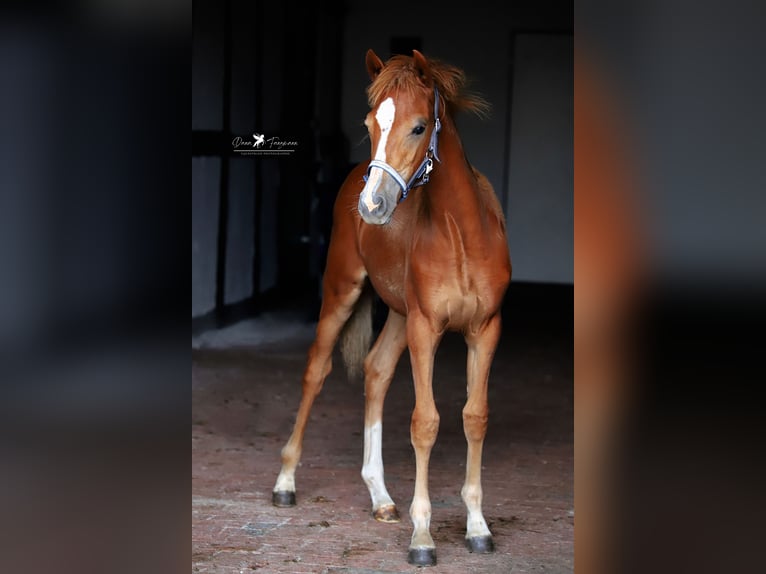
422,340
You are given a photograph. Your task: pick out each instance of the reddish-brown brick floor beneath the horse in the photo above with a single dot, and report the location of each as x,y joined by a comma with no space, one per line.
244,401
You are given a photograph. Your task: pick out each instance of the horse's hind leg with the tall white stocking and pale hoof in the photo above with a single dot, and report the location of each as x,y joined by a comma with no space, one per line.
379,367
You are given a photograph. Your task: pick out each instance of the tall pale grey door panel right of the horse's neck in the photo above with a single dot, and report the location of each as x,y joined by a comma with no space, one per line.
540,189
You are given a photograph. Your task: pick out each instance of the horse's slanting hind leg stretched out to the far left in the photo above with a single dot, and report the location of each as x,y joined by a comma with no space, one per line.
337,307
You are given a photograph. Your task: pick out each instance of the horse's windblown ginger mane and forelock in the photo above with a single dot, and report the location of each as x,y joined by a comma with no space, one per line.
400,73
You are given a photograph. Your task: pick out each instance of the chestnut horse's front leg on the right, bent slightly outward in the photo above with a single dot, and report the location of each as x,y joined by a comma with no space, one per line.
481,349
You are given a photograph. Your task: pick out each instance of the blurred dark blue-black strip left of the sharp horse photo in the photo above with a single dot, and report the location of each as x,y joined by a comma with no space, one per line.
94,401
